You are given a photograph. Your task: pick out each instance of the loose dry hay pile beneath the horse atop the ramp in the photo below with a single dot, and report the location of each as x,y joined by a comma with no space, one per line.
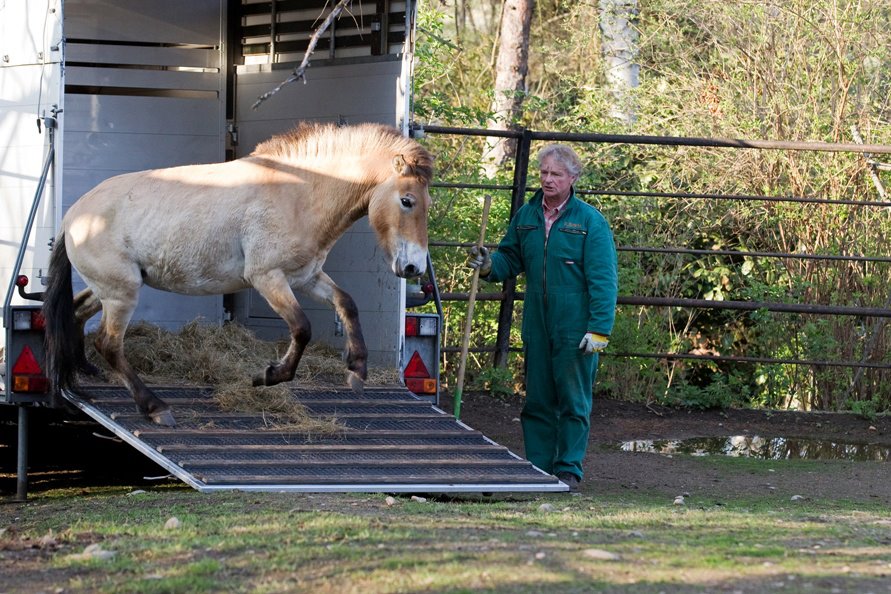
226,358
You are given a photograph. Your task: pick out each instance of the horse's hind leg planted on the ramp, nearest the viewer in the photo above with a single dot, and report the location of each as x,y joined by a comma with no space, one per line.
110,344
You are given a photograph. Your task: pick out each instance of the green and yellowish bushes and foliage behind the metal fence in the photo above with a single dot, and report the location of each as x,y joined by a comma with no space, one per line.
797,70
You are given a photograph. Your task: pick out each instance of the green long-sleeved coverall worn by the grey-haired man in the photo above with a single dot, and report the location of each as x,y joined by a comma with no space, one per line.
571,288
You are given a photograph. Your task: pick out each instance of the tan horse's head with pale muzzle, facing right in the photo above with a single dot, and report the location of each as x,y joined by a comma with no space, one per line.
398,214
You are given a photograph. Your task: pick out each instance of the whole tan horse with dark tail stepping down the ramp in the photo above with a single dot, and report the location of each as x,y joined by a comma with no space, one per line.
267,221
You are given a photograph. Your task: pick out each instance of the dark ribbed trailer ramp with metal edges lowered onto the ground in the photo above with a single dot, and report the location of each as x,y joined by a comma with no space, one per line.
392,442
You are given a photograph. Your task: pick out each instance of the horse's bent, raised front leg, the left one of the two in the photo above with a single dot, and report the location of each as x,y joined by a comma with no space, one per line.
273,286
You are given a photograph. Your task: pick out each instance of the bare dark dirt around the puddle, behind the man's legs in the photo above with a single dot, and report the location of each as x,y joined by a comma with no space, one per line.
611,470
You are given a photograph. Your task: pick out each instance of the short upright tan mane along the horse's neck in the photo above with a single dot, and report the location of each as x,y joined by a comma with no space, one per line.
329,141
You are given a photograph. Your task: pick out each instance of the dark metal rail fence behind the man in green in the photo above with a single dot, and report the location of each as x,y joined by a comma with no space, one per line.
518,190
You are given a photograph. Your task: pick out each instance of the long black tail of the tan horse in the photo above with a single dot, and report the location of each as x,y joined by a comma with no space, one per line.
61,338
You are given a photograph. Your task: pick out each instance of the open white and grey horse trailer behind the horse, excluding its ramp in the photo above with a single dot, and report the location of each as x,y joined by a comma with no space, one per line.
91,89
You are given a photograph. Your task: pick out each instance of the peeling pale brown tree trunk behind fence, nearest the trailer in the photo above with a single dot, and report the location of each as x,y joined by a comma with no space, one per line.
511,68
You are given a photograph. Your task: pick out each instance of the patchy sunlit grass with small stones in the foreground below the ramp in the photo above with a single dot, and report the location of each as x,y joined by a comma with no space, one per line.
238,542
